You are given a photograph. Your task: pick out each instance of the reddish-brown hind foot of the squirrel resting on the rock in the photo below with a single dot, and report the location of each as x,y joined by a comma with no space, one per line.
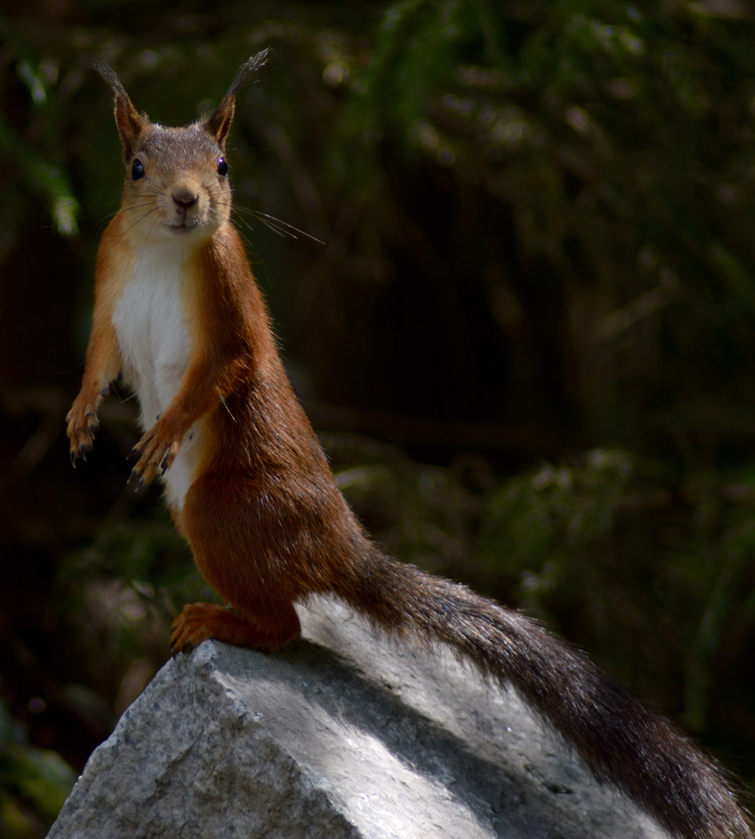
202,621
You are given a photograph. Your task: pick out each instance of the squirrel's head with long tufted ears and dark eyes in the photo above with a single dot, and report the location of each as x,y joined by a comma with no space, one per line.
176,178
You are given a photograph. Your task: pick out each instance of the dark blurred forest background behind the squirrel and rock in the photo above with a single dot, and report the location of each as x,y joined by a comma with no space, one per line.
526,337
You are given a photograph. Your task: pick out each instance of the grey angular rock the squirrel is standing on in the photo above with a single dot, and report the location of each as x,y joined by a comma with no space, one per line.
341,734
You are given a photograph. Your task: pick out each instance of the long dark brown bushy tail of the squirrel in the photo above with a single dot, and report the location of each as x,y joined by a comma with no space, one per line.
622,742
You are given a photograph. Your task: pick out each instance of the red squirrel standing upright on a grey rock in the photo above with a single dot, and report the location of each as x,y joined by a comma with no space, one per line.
179,315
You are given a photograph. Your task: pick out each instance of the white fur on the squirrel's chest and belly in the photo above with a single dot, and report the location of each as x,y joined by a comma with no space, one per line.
154,338
